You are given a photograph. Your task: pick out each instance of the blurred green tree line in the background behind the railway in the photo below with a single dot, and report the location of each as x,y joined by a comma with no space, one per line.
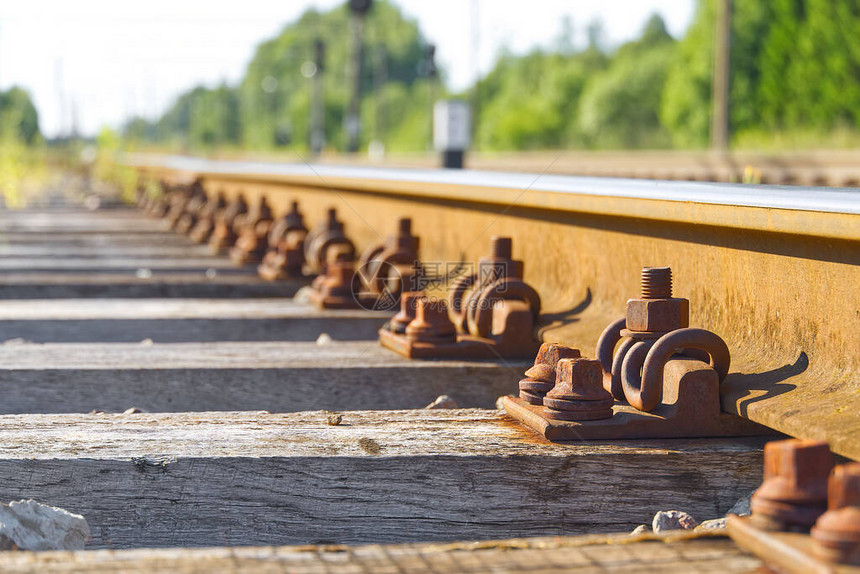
795,71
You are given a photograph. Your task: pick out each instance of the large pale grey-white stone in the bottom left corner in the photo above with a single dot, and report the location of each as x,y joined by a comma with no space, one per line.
29,525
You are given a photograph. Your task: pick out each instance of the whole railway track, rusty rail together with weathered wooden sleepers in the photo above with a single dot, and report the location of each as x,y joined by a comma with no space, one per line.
267,420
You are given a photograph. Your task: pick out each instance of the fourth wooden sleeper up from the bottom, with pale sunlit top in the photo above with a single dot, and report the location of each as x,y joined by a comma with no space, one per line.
180,320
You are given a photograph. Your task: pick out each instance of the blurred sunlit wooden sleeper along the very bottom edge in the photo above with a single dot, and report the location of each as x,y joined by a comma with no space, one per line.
586,555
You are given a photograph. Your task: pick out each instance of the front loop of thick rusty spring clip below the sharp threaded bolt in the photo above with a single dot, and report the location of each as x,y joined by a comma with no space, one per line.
642,366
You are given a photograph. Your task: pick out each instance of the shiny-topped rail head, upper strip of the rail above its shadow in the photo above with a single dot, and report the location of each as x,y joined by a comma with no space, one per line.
814,211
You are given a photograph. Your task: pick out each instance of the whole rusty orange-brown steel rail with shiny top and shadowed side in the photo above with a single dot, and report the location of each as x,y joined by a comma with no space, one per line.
774,271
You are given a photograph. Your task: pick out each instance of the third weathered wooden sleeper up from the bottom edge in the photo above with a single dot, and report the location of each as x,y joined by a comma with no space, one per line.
278,377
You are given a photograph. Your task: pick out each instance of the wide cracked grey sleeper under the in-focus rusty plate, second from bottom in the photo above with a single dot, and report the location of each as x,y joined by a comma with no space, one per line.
395,476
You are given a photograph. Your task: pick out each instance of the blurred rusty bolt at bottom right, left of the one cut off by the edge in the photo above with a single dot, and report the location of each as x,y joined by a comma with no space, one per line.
793,493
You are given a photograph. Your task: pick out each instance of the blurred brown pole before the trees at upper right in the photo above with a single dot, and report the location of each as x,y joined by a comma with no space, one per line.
720,95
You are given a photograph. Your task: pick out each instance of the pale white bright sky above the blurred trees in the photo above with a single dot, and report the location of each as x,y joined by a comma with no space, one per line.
102,60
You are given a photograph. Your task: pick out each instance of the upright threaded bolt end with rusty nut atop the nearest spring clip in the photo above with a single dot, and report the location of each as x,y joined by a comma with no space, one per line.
656,311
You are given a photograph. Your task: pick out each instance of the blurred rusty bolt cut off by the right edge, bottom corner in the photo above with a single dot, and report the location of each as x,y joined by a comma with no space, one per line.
837,531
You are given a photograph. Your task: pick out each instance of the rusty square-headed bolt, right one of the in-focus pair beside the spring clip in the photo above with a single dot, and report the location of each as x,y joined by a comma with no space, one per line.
578,394
